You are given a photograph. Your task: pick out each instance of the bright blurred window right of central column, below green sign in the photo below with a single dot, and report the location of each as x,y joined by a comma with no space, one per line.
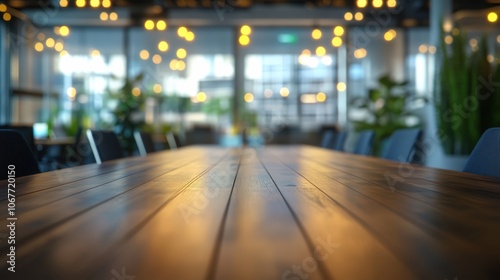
289,80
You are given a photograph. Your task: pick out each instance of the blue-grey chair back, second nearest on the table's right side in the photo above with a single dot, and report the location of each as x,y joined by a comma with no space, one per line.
403,144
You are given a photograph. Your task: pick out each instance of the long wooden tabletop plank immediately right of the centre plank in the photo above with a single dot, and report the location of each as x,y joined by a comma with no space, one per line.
339,235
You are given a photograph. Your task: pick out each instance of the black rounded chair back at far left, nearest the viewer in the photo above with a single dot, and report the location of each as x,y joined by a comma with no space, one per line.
14,150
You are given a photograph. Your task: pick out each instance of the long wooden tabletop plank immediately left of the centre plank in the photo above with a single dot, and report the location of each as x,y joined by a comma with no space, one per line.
180,240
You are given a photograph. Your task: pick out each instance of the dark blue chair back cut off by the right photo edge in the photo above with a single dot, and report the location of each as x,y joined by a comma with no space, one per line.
485,158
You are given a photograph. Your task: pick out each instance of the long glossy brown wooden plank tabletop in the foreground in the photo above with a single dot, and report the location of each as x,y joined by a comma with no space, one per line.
291,212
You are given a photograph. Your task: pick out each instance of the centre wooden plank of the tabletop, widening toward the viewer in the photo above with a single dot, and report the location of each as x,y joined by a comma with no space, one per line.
261,239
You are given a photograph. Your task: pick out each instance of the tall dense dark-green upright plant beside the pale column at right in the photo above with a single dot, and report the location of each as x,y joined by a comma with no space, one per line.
467,94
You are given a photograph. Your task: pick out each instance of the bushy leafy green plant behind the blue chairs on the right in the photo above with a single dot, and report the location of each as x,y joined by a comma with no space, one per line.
387,110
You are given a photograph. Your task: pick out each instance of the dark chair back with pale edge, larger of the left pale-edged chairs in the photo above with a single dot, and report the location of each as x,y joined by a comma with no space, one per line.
105,145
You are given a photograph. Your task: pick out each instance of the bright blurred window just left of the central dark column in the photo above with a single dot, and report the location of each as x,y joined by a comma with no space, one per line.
192,79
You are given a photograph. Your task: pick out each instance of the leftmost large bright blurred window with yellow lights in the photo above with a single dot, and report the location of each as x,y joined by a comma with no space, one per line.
68,75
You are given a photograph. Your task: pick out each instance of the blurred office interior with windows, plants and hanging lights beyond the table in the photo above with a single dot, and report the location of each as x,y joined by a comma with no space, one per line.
260,72
